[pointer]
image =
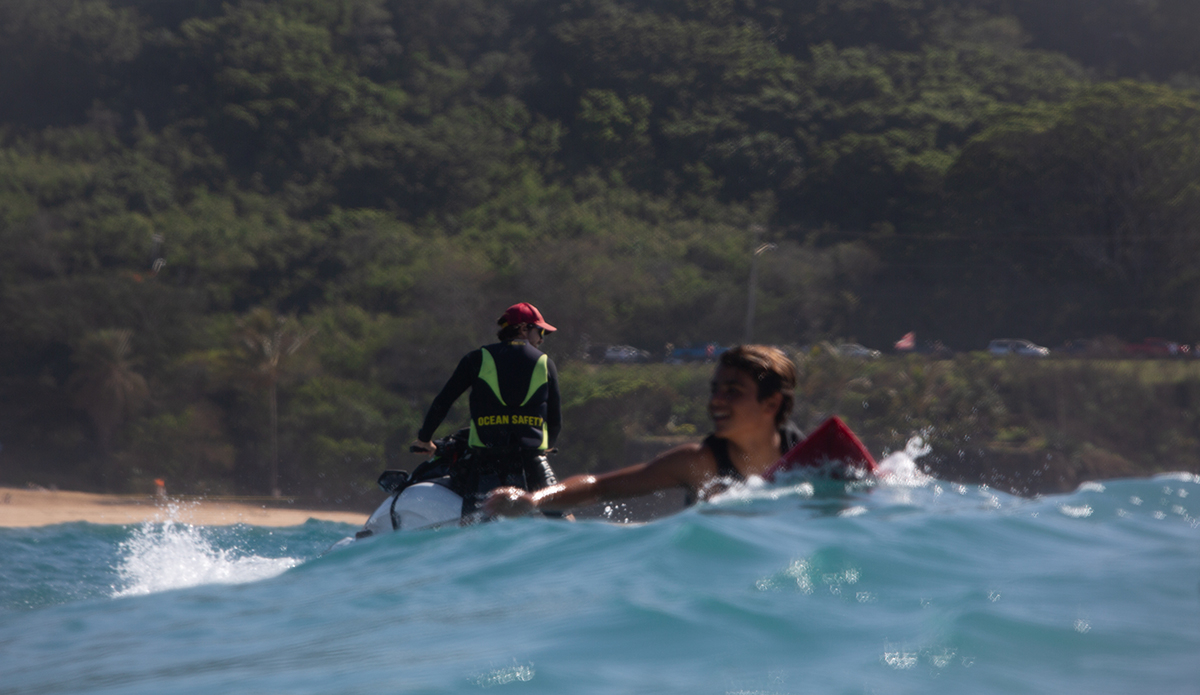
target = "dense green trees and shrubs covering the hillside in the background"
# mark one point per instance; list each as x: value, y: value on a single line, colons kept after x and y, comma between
x: 243, y: 243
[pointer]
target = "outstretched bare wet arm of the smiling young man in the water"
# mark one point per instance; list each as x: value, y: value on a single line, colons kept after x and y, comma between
x: 689, y: 466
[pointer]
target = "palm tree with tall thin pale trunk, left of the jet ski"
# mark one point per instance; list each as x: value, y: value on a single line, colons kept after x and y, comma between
x: 267, y: 340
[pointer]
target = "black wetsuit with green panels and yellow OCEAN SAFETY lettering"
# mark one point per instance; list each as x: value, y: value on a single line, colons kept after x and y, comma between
x: 515, y: 417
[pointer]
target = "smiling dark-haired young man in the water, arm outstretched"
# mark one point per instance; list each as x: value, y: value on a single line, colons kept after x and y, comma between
x: 752, y: 399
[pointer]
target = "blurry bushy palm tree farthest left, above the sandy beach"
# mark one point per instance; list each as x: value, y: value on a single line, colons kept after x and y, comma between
x: 105, y: 385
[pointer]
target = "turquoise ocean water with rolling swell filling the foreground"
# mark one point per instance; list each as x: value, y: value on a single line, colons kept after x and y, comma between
x: 910, y: 586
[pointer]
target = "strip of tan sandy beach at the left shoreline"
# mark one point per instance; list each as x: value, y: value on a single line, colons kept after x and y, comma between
x: 25, y: 508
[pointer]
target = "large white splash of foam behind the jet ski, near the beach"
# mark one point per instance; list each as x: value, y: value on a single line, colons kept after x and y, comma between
x: 167, y: 555
